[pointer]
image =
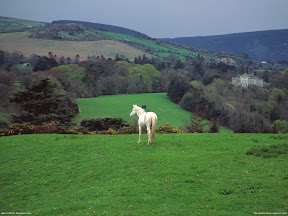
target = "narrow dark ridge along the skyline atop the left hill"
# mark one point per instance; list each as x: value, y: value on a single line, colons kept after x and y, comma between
x: 103, y: 27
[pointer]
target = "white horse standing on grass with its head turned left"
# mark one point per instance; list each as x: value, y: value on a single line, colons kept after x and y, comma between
x: 149, y: 119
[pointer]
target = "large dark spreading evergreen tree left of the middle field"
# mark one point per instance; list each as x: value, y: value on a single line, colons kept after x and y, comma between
x: 39, y: 103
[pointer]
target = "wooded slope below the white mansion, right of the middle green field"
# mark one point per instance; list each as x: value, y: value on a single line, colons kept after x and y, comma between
x: 245, y: 110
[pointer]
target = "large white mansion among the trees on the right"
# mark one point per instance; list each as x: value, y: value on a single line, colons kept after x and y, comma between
x: 249, y: 79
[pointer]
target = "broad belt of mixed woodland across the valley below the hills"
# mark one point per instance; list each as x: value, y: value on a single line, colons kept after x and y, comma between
x: 201, y: 88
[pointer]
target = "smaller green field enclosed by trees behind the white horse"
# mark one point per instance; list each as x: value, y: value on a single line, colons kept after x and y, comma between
x: 120, y: 106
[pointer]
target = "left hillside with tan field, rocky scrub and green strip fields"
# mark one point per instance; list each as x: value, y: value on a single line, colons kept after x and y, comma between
x: 73, y: 39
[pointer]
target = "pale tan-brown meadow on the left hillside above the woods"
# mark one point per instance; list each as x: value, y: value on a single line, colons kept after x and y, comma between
x: 21, y: 42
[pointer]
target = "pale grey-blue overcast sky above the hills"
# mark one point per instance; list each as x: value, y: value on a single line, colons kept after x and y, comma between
x: 159, y: 18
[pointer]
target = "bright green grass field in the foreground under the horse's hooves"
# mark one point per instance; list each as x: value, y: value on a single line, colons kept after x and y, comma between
x: 179, y: 174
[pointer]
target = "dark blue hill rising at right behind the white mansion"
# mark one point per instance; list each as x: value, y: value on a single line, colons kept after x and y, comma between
x: 260, y: 45
